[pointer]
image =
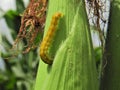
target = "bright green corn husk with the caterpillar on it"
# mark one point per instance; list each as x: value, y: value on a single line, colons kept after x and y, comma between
x: 74, y: 66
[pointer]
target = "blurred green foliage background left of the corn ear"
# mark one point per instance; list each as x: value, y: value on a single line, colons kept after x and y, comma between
x: 17, y: 70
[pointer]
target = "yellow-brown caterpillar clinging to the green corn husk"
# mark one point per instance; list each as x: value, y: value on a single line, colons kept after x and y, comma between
x: 47, y: 40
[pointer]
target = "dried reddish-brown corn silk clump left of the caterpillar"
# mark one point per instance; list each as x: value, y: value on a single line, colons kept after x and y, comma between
x: 32, y: 23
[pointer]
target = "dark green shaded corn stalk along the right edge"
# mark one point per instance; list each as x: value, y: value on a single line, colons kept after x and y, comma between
x: 110, y: 79
